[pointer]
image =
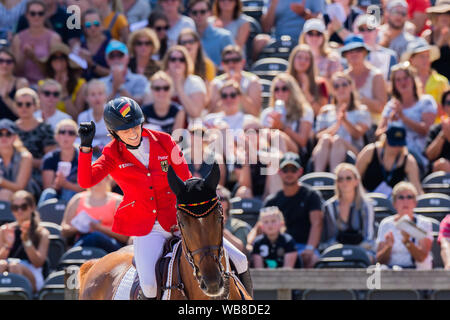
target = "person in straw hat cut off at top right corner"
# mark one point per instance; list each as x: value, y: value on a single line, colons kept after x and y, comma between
x: 439, y: 35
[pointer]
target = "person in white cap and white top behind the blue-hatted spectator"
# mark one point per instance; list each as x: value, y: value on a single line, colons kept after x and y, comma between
x: 380, y: 57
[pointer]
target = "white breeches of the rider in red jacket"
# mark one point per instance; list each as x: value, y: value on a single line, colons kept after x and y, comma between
x: 148, y: 249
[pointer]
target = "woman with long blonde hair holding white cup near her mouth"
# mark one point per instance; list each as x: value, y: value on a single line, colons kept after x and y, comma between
x: 289, y: 111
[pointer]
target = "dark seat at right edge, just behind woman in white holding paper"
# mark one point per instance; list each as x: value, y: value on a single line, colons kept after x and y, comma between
x: 434, y: 205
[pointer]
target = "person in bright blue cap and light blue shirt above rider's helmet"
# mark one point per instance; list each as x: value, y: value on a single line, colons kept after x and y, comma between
x: 121, y: 81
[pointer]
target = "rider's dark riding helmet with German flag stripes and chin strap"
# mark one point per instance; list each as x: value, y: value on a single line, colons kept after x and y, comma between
x: 121, y: 114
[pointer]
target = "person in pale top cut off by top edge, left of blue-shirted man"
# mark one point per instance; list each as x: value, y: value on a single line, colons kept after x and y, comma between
x: 177, y: 21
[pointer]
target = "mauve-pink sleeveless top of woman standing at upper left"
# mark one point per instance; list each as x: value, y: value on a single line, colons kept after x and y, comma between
x: 41, y: 45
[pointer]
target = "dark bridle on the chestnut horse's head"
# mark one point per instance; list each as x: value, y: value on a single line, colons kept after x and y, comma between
x: 207, y: 251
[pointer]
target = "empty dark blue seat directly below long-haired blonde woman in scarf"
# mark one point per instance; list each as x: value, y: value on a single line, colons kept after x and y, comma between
x: 343, y: 256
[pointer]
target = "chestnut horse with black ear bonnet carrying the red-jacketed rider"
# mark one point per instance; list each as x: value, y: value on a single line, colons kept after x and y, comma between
x: 203, y: 267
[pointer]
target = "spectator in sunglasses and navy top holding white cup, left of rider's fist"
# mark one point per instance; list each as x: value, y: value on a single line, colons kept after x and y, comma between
x: 60, y: 166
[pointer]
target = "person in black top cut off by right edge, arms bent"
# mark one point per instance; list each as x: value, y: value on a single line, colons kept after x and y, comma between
x: 438, y: 140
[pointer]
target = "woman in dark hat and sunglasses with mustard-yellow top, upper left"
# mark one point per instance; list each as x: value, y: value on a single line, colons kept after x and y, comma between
x: 67, y: 72
